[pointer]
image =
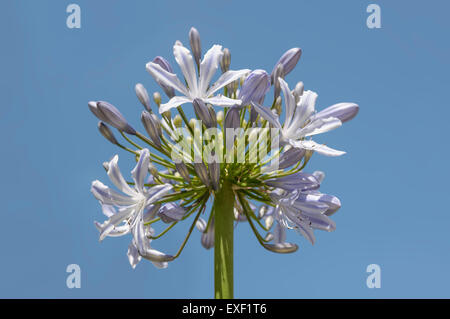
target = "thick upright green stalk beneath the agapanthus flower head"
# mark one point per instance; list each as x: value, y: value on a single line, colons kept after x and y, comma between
x: 223, y: 242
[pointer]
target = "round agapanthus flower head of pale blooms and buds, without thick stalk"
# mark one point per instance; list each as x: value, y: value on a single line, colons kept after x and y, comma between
x: 235, y: 139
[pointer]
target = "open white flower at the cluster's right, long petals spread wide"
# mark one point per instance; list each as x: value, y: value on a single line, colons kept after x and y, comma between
x: 300, y: 121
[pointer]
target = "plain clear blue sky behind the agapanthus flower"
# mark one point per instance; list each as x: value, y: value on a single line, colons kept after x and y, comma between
x: 393, y: 183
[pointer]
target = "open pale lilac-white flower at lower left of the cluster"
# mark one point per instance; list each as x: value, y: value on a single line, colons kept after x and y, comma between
x: 126, y: 211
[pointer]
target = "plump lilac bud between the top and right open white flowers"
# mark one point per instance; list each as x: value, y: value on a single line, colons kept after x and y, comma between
x: 255, y: 87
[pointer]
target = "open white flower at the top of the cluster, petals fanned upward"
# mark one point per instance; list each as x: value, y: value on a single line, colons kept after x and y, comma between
x: 197, y: 87
